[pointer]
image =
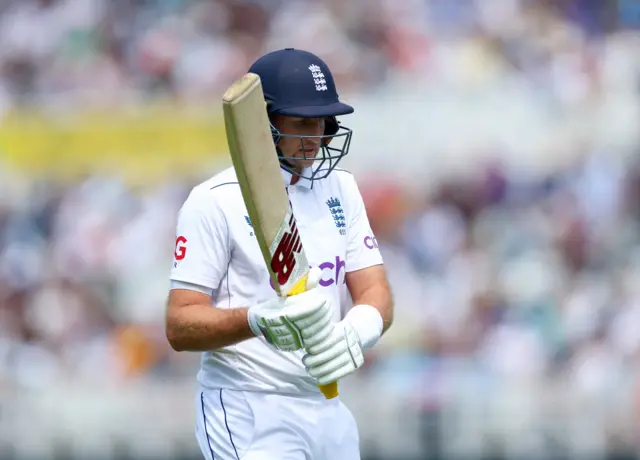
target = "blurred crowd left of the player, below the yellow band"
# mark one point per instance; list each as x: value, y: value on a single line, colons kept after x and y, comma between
x: 83, y: 278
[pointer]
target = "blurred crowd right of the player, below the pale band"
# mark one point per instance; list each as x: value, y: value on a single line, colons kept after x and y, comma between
x: 529, y: 278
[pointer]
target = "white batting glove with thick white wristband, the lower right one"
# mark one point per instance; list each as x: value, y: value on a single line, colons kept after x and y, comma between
x: 341, y: 353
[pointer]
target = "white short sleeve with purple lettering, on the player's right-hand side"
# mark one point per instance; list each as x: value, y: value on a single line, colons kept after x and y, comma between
x: 362, y: 246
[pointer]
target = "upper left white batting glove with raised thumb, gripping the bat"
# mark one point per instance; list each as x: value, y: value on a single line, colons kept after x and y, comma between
x: 296, y: 322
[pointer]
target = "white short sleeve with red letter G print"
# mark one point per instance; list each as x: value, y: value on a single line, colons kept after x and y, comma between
x: 202, y: 243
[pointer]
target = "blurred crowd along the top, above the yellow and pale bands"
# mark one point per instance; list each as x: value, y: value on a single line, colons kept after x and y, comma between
x: 59, y: 53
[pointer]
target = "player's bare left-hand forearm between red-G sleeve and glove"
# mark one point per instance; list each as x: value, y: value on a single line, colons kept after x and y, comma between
x: 203, y: 328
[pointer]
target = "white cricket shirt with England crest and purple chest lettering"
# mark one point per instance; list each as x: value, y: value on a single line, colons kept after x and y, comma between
x: 216, y: 249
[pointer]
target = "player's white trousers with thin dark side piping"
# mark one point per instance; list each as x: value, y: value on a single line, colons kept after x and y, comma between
x: 240, y: 425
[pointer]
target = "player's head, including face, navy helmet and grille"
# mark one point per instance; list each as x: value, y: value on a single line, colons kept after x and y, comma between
x: 302, y: 103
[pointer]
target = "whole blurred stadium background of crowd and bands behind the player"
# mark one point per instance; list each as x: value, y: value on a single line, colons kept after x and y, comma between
x: 497, y: 143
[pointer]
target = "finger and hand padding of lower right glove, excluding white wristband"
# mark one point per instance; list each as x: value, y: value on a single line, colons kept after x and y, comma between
x: 337, y: 356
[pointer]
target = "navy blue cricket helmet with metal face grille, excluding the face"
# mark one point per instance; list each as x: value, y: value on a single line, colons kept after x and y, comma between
x: 297, y: 83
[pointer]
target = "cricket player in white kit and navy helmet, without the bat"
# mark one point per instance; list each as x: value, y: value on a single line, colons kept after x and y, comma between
x: 258, y: 399
